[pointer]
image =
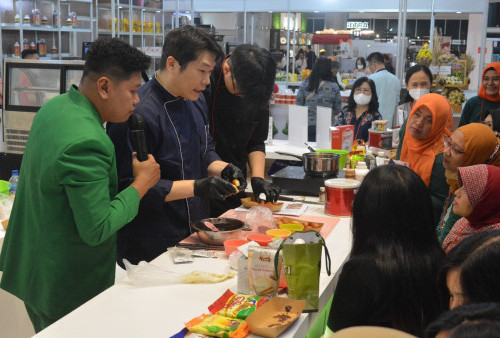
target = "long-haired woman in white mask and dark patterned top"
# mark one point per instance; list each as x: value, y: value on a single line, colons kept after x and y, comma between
x: 361, y: 109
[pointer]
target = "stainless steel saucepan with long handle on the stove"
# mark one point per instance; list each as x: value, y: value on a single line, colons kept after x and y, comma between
x: 318, y: 164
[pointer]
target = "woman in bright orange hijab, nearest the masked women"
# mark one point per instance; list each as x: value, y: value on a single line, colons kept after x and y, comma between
x: 424, y: 142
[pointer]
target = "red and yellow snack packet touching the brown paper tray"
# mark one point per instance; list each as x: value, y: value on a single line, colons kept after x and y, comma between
x: 236, y: 305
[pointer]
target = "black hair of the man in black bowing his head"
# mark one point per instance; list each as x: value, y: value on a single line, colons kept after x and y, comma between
x: 254, y: 71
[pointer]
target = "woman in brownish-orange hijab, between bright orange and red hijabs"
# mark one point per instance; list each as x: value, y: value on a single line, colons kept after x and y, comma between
x: 469, y: 145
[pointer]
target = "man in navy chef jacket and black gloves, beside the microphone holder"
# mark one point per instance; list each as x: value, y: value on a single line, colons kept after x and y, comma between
x: 177, y: 135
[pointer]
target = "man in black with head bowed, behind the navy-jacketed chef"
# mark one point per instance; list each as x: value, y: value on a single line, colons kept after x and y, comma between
x: 240, y: 89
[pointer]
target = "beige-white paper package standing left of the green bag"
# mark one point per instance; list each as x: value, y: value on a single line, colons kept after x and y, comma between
x: 261, y: 273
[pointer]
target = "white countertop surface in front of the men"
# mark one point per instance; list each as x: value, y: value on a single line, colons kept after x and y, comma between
x: 125, y: 310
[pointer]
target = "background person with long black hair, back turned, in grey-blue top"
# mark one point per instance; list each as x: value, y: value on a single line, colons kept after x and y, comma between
x: 319, y: 90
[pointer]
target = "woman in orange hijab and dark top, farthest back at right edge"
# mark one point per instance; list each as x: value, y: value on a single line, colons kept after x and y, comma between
x: 488, y: 96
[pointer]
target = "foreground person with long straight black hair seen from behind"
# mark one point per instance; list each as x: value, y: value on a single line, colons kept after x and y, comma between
x: 391, y: 277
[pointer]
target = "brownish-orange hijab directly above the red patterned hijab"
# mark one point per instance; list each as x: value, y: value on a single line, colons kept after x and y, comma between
x: 480, y: 147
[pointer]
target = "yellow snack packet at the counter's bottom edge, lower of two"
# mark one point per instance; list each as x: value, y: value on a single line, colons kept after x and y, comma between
x: 218, y: 326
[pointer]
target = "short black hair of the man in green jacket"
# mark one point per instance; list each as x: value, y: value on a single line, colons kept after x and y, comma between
x: 115, y: 59
